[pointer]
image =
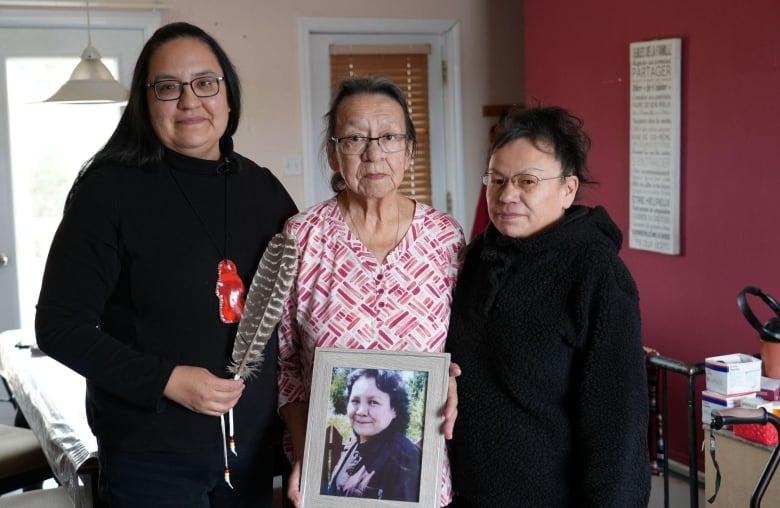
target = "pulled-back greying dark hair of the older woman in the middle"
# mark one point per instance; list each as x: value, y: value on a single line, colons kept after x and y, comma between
x: 371, y: 85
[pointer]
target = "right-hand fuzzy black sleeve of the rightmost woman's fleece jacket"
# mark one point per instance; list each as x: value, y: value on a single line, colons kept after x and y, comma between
x: 613, y: 405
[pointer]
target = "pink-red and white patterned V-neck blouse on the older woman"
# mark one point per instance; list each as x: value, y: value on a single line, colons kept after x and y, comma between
x: 343, y: 297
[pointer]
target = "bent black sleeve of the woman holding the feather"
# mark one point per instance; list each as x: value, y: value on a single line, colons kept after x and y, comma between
x: 82, y: 271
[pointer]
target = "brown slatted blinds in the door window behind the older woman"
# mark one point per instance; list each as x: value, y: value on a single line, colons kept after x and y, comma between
x: 407, y: 67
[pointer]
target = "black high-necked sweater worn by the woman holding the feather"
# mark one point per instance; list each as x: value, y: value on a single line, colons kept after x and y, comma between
x: 129, y: 292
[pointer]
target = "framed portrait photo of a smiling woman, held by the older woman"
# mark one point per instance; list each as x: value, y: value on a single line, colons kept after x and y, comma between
x: 373, y: 435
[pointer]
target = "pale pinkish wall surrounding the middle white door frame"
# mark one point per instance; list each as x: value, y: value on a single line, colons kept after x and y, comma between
x: 261, y: 39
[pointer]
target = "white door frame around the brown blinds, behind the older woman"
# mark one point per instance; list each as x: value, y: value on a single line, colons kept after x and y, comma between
x: 449, y: 31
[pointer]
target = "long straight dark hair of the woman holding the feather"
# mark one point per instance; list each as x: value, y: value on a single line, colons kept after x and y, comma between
x: 134, y: 142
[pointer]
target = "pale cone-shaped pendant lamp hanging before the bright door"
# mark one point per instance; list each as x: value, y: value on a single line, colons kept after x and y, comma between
x: 90, y: 82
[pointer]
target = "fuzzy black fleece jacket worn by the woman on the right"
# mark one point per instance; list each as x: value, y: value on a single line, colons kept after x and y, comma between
x: 553, y: 402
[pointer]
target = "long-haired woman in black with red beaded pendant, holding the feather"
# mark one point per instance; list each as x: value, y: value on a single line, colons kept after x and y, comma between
x: 144, y: 284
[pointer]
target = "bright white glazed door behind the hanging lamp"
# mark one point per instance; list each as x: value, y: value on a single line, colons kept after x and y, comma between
x: 42, y: 146
